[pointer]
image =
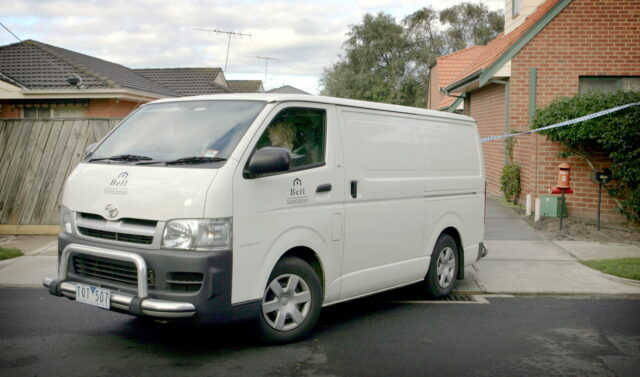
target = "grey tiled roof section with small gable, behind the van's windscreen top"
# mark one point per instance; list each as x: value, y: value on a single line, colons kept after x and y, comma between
x: 186, y: 81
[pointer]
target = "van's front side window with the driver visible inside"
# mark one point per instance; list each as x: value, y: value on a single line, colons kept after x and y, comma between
x: 301, y: 132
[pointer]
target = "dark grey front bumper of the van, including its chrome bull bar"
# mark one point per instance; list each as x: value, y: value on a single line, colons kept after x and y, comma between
x: 150, y: 291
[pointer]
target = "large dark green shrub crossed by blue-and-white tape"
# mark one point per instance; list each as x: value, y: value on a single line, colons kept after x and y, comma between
x: 616, y: 134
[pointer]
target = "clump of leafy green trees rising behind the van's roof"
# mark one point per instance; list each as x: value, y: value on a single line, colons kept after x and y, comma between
x: 386, y: 61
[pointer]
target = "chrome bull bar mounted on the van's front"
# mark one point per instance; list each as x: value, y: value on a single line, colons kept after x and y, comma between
x: 138, y: 305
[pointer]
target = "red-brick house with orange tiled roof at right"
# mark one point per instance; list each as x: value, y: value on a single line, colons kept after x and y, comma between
x: 549, y: 49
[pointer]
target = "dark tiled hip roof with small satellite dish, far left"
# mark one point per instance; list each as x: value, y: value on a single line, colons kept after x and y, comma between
x: 36, y: 65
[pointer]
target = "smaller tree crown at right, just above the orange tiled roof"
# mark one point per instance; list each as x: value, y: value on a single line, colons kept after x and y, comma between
x: 469, y: 24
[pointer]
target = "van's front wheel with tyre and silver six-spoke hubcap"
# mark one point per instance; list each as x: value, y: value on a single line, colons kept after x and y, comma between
x: 291, y: 302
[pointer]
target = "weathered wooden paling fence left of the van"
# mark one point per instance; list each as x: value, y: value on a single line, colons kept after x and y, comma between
x: 36, y: 156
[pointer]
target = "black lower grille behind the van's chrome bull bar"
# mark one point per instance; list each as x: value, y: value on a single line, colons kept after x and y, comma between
x: 109, y: 270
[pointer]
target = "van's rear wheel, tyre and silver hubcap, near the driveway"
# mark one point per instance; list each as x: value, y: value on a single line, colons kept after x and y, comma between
x: 443, y: 268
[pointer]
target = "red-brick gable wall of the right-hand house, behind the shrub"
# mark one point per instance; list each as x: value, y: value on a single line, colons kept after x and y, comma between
x: 588, y: 38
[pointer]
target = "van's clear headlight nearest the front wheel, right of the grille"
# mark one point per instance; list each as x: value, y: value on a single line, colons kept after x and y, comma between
x: 197, y: 234
